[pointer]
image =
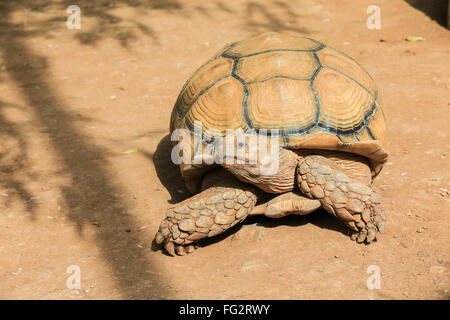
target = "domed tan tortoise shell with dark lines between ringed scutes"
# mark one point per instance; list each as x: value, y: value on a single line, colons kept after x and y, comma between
x: 317, y: 96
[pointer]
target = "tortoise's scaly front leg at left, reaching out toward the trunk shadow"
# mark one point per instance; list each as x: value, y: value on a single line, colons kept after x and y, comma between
x: 224, y: 202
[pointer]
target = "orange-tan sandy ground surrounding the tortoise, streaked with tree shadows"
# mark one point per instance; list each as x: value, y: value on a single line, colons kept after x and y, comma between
x: 73, y: 100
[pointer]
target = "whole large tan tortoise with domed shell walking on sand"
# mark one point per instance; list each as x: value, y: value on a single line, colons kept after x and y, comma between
x: 329, y: 127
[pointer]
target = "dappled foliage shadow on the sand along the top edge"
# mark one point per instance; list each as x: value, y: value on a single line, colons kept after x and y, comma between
x: 103, y: 19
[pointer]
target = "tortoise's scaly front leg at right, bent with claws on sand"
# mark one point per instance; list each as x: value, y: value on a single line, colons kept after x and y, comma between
x: 344, y: 193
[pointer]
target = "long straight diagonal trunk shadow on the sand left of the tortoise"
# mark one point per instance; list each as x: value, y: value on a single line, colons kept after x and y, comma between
x: 92, y: 195
